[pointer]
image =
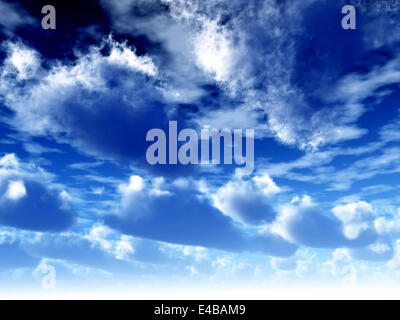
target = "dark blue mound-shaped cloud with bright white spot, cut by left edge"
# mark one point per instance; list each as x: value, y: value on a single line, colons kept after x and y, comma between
x: 26, y: 202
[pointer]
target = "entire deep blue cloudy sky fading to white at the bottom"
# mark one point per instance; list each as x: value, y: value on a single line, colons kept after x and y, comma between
x: 78, y: 197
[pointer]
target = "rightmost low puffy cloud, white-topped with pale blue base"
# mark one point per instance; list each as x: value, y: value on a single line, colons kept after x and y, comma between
x: 305, y: 223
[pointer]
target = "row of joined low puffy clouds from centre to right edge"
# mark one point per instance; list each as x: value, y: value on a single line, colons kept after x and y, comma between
x: 201, y: 216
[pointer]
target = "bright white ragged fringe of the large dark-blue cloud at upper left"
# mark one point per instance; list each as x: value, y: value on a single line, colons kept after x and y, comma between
x: 60, y: 83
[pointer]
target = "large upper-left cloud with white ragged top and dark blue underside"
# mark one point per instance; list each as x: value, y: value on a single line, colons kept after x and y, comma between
x: 80, y: 103
